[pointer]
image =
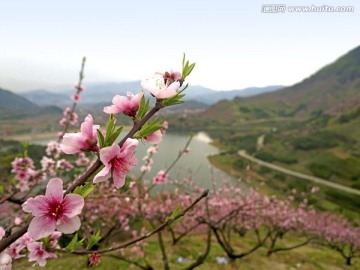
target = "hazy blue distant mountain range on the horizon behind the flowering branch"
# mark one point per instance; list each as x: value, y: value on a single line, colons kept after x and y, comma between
x: 104, y: 92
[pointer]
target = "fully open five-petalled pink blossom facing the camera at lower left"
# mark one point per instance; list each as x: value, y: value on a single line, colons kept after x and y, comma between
x: 53, y: 211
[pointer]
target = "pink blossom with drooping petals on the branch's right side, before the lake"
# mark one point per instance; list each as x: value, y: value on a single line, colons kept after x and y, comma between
x: 118, y: 162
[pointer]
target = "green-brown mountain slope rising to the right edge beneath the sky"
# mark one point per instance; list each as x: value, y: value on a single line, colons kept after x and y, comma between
x: 333, y: 90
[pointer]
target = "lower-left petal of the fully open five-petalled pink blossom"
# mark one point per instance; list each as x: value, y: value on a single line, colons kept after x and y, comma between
x: 41, y: 226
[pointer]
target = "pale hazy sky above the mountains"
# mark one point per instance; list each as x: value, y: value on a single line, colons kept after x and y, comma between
x: 234, y: 44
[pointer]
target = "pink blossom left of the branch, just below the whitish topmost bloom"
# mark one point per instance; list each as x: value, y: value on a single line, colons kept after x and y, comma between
x: 128, y: 105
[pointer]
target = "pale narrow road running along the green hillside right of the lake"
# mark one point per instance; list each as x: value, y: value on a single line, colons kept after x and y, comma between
x: 321, y: 181
